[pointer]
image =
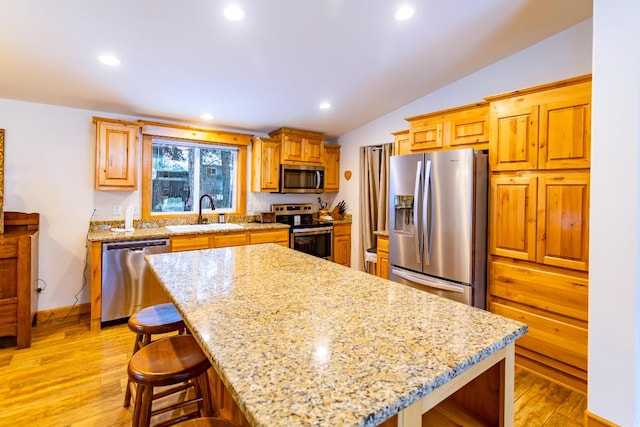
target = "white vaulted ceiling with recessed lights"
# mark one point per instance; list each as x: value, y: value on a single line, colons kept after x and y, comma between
x: 182, y: 58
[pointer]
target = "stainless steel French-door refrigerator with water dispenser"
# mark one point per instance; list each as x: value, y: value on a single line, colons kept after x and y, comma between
x: 438, y: 223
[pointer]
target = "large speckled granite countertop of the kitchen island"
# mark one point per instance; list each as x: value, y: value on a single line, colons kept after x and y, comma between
x: 303, y: 341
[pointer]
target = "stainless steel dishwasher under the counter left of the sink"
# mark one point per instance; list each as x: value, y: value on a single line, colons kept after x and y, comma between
x: 127, y: 283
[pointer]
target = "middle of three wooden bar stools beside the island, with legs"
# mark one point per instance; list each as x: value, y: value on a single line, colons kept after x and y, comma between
x: 175, y: 361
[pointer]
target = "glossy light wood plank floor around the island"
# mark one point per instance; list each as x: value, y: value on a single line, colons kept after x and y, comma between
x: 74, y: 377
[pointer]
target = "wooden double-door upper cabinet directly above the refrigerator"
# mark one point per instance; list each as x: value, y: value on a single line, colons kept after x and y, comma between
x: 465, y: 126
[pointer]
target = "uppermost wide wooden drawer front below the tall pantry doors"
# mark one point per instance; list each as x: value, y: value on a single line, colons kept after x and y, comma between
x: 552, y: 290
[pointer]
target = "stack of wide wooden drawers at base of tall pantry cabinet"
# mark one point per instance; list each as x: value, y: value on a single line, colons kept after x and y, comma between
x: 554, y: 303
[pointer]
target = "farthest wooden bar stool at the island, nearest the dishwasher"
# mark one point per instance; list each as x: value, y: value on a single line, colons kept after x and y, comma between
x: 153, y: 320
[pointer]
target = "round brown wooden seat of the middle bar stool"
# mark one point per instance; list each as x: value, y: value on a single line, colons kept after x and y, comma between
x: 168, y: 361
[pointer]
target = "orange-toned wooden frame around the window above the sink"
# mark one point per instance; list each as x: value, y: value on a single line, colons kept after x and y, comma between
x: 239, y: 141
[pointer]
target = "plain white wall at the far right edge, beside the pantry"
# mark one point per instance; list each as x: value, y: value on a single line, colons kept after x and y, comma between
x: 614, y: 294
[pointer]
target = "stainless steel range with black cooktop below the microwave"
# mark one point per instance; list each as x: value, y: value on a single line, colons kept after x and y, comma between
x: 306, y: 233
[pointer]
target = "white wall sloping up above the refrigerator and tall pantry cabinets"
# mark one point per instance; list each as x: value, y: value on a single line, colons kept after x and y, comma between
x: 567, y: 54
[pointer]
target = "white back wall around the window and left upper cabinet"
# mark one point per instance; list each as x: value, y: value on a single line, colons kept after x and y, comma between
x: 49, y: 168
